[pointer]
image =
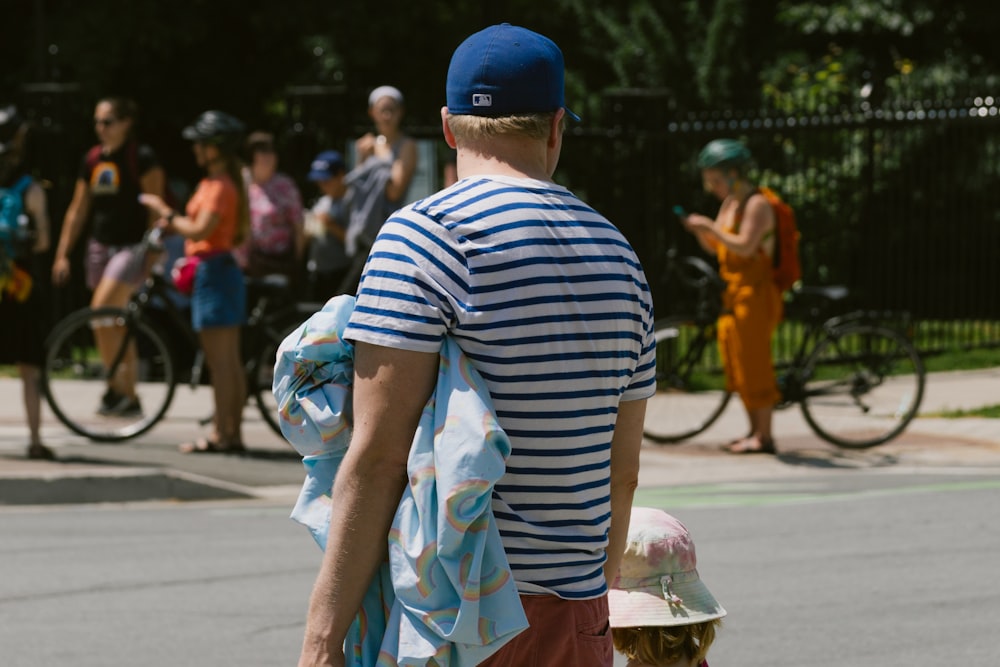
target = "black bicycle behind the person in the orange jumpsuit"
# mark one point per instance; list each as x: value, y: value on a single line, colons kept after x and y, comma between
x: 857, y: 379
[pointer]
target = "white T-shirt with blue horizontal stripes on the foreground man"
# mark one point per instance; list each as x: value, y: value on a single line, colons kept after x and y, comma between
x: 549, y: 302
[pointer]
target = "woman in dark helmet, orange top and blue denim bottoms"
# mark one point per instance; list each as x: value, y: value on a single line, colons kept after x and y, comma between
x: 215, y: 221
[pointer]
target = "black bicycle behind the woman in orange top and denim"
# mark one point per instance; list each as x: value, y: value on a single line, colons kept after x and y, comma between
x: 158, y: 335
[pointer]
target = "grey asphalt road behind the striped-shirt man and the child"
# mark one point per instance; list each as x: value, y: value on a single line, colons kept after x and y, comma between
x: 891, y: 566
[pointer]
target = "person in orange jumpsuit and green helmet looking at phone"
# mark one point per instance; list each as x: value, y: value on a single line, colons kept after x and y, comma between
x: 742, y: 237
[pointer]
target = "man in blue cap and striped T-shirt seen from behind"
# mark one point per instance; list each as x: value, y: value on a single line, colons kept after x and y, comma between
x: 550, y: 303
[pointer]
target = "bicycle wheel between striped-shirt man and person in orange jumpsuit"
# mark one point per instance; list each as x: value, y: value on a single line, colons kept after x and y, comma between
x: 690, y: 384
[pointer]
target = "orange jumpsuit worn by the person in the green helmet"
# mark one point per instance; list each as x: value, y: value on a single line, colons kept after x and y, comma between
x: 752, y: 309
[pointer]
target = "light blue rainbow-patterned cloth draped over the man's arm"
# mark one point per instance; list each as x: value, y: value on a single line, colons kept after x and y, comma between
x: 446, y: 594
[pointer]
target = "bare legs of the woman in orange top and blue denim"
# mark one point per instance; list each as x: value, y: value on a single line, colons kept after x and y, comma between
x: 222, y: 355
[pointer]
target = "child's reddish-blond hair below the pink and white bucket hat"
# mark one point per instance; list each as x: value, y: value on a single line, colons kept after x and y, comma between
x: 666, y: 644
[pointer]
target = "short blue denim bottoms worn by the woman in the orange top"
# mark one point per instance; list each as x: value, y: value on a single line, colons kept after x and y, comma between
x: 220, y: 295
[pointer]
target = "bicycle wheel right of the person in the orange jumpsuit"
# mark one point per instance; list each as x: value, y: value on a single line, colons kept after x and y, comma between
x: 862, y: 384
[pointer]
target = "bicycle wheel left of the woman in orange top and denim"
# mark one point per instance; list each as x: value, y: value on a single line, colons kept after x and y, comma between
x: 75, y: 378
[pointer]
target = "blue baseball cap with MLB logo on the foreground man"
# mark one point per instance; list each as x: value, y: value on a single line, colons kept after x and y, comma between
x: 506, y: 70
